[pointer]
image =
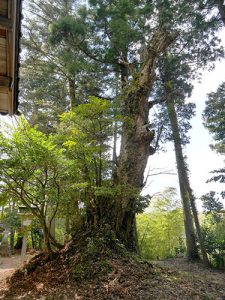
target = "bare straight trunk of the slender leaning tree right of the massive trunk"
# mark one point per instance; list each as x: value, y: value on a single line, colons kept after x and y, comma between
x: 192, y: 252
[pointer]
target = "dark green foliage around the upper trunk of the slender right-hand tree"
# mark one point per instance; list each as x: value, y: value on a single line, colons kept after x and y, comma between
x: 175, y: 83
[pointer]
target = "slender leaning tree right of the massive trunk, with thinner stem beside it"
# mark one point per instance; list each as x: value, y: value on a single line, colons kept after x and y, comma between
x: 175, y: 77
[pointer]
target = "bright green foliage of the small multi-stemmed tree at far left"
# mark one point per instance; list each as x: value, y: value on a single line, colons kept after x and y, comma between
x: 32, y: 168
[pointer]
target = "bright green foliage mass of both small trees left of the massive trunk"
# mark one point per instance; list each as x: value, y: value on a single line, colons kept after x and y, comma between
x: 61, y: 174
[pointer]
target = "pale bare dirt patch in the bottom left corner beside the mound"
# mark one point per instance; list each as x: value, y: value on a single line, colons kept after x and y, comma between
x: 7, y: 267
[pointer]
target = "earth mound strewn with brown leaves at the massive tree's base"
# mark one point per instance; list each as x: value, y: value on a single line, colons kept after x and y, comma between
x: 114, y: 278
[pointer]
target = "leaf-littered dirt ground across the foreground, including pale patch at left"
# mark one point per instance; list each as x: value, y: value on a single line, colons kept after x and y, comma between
x: 174, y: 279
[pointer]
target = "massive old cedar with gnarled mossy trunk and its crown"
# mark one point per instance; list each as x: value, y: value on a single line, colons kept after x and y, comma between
x: 127, y: 38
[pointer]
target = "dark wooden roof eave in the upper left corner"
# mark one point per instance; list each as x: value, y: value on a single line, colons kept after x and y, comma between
x: 10, y: 26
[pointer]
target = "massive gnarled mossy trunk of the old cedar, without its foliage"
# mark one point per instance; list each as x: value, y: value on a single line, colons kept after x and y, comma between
x: 136, y: 138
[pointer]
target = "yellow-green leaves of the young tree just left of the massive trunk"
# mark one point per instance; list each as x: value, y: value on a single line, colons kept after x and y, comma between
x: 85, y: 133
